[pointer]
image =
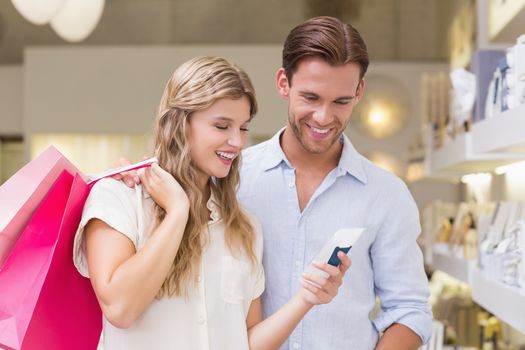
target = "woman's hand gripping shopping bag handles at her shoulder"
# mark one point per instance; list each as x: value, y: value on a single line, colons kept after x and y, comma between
x: 164, y: 189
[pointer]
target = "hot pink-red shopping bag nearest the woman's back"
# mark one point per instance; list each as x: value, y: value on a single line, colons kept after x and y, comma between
x: 44, y: 302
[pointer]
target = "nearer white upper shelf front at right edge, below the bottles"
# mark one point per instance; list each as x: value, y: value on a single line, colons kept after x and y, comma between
x: 501, y: 133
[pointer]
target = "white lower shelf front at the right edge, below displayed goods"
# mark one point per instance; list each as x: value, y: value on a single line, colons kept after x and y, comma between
x: 505, y: 302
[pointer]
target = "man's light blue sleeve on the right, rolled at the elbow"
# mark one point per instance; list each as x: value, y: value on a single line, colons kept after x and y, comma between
x: 400, y: 280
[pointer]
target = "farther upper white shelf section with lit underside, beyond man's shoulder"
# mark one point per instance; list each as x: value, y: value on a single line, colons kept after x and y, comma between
x: 458, y: 156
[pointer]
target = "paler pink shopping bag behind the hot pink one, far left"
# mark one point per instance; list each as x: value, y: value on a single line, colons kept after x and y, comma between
x: 23, y: 192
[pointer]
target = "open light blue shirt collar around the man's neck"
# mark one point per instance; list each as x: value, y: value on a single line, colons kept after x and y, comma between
x: 350, y: 162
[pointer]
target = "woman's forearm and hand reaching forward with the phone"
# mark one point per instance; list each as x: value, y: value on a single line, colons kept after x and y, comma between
x: 273, y: 331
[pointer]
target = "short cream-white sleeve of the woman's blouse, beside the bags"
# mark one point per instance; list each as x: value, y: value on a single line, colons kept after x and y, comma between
x: 109, y: 201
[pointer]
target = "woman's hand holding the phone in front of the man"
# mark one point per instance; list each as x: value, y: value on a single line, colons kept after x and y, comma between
x: 321, y: 290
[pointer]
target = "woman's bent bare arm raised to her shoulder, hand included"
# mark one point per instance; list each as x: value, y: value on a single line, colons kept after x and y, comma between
x: 125, y: 281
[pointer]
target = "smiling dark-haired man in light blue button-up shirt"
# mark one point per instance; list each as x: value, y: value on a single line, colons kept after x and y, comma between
x: 308, y: 181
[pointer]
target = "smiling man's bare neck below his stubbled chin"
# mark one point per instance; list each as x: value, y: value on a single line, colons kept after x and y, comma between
x: 303, y: 159
